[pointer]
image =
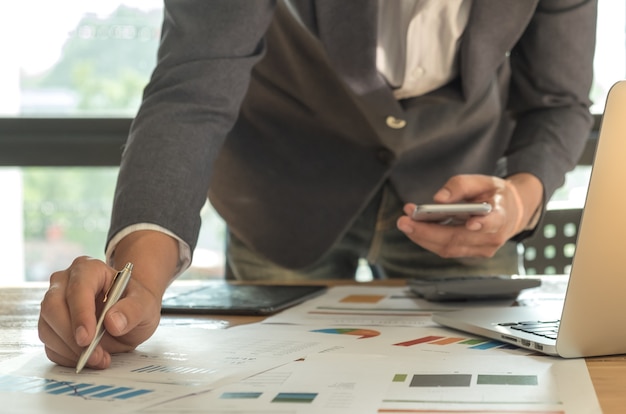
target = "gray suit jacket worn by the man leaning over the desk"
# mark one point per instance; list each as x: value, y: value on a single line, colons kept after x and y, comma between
x: 281, y: 114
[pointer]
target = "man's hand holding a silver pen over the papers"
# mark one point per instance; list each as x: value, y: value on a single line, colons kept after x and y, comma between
x: 71, y: 306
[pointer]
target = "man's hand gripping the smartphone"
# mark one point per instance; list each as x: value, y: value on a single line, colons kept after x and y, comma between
x: 515, y: 201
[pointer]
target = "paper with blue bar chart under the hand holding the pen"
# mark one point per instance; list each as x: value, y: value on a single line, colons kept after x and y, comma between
x: 177, y: 361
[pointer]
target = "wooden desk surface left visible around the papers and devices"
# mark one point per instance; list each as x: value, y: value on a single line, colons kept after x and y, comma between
x: 19, y: 312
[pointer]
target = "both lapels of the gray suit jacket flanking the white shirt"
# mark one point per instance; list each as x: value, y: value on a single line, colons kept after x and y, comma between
x: 348, y: 26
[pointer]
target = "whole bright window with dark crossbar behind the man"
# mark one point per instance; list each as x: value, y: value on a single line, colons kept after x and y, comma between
x: 71, y: 79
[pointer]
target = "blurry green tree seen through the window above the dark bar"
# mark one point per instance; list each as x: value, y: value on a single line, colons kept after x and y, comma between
x: 106, y: 62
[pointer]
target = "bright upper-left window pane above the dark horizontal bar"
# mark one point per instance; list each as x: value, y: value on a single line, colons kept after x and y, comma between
x: 77, y: 58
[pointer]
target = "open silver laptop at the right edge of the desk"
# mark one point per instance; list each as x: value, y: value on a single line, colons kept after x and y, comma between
x: 592, y: 319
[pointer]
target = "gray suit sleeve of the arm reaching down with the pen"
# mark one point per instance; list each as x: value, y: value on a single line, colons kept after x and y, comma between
x: 207, y: 51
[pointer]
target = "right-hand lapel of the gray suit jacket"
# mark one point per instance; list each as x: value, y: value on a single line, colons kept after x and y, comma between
x: 498, y: 24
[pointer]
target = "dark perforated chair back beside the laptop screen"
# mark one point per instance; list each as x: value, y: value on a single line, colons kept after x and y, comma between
x: 551, y: 249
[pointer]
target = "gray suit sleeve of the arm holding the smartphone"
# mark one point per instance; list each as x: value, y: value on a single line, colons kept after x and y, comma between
x: 552, y: 72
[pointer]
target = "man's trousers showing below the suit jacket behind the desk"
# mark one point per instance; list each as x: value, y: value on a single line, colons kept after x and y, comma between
x: 372, y: 238
